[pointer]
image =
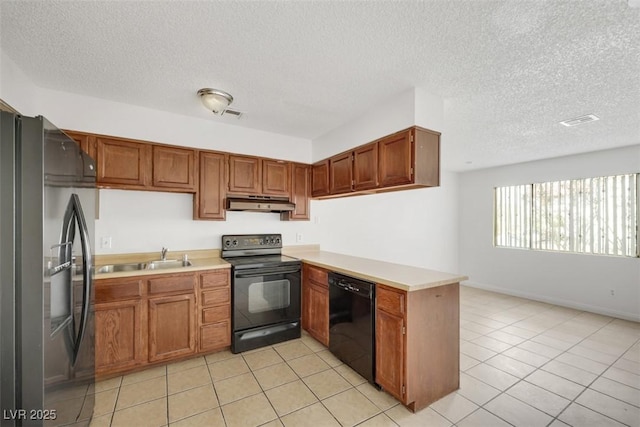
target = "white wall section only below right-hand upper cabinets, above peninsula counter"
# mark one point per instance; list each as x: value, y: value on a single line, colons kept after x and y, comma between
x: 415, y: 227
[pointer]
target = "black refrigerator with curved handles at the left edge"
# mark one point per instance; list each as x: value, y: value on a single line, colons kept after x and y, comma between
x: 47, y: 214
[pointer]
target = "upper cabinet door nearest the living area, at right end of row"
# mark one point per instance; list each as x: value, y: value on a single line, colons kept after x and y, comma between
x: 396, y: 161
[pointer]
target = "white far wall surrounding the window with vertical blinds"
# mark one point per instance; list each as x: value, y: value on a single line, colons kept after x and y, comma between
x: 579, y: 281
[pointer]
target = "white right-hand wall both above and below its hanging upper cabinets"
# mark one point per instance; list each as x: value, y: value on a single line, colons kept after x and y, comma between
x: 415, y: 227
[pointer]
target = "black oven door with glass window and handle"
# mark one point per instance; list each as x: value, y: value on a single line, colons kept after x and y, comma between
x: 265, y: 296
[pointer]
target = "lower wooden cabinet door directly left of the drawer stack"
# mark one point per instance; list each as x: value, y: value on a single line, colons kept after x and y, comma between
x: 172, y: 326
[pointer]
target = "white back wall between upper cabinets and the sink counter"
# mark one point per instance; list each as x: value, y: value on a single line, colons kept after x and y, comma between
x: 141, y: 221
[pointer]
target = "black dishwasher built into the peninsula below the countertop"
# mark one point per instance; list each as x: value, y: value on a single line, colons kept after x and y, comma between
x: 352, y: 323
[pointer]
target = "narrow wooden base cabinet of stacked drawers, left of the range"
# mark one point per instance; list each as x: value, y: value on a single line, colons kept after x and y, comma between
x: 214, y: 319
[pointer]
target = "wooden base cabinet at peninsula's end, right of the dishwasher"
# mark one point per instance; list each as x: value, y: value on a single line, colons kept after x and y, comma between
x: 417, y: 343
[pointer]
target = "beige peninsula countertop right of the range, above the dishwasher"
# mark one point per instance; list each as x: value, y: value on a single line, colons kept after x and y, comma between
x: 399, y: 276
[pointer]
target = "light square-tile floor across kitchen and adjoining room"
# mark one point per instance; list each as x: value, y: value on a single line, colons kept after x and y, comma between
x: 522, y: 362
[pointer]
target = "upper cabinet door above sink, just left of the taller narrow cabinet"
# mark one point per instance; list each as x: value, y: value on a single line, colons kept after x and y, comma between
x: 174, y: 168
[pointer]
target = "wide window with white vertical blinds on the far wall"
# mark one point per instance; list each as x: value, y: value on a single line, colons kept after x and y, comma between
x: 592, y: 215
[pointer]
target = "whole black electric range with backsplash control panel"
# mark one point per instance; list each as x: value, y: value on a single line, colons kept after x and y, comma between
x: 265, y: 291
